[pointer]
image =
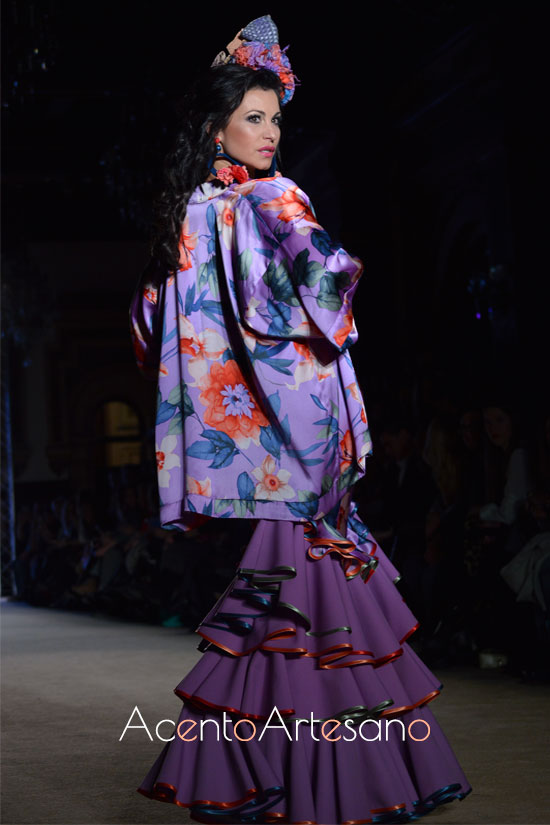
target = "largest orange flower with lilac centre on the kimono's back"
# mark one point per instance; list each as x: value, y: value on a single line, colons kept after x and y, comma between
x: 230, y: 406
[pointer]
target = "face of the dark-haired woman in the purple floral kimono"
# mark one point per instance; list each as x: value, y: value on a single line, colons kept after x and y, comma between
x: 254, y: 130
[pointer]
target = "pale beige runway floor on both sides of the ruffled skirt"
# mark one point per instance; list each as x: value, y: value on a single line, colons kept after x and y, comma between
x: 71, y: 682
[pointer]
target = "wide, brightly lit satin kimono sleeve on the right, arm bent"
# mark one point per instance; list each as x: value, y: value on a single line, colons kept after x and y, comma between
x: 293, y: 282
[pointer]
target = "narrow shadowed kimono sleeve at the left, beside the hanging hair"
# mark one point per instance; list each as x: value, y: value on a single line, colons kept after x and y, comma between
x: 145, y: 321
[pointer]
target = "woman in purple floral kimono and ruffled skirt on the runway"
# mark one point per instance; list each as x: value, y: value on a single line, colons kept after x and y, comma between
x: 244, y: 319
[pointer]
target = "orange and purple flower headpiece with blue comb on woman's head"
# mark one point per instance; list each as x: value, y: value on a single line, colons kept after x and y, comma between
x: 257, y: 46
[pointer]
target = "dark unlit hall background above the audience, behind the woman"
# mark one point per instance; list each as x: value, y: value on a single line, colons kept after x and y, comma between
x: 419, y: 132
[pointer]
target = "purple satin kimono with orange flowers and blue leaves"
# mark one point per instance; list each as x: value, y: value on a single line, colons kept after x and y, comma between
x: 259, y: 414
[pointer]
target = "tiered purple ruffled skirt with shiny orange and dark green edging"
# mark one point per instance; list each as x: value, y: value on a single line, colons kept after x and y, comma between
x: 311, y: 629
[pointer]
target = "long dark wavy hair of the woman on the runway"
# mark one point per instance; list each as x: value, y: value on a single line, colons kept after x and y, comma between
x: 206, y: 108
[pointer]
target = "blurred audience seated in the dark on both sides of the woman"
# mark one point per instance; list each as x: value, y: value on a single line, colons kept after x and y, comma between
x: 454, y: 494
